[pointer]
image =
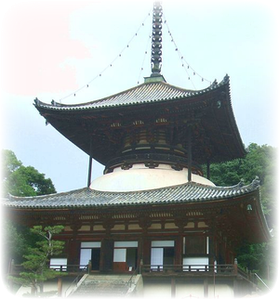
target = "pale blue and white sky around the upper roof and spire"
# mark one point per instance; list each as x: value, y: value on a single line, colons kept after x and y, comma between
x: 80, y: 51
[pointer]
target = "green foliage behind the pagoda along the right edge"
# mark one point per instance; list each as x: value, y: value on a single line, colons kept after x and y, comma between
x: 261, y: 161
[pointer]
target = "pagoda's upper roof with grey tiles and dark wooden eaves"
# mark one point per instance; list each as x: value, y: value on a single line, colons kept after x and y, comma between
x: 99, y: 127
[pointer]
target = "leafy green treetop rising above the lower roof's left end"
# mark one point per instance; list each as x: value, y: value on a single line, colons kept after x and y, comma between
x: 19, y: 180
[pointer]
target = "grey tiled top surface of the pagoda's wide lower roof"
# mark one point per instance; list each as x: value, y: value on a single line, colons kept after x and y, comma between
x: 88, y: 198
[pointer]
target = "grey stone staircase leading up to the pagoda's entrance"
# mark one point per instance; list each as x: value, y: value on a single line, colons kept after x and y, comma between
x: 102, y: 286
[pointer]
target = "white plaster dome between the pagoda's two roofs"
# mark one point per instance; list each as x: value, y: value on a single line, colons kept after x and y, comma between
x: 139, y: 178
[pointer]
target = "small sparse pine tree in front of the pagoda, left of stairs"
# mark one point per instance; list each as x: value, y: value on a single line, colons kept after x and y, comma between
x: 36, y: 264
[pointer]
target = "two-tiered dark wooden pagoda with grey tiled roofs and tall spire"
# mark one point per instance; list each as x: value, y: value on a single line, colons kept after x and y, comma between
x: 153, y: 214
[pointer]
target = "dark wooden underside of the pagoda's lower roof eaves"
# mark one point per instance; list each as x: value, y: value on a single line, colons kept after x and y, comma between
x: 231, y: 217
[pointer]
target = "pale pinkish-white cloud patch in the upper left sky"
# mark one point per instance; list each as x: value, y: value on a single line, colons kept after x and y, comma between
x: 35, y: 44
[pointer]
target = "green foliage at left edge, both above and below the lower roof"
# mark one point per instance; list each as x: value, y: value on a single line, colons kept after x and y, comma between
x: 18, y: 180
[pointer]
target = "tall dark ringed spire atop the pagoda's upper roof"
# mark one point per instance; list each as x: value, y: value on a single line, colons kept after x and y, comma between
x: 156, y: 47
